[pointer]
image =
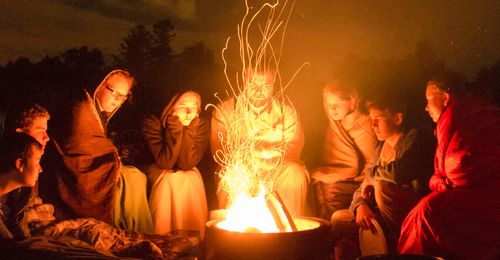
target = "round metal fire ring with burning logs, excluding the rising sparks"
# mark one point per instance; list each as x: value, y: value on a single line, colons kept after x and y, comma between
x: 261, y: 228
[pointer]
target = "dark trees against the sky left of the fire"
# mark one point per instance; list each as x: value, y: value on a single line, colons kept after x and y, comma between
x: 146, y: 53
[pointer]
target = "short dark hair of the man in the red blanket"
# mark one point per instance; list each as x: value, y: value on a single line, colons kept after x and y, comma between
x: 449, y: 82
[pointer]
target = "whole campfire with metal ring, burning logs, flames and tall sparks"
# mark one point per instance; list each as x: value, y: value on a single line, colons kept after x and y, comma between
x: 256, y: 224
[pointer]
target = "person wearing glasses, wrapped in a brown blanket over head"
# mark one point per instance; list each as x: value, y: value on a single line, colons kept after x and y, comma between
x: 85, y: 177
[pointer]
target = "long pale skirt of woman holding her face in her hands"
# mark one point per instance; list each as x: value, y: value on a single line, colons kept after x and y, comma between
x: 178, y: 202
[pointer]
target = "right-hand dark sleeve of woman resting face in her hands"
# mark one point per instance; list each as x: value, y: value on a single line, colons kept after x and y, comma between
x: 194, y: 143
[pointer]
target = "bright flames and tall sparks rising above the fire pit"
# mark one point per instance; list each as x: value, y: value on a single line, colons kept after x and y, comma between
x: 252, y: 152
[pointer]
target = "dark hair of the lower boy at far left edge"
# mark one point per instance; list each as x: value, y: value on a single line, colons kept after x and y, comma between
x: 15, y: 146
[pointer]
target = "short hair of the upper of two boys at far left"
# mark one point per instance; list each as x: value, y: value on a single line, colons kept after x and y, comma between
x: 24, y: 117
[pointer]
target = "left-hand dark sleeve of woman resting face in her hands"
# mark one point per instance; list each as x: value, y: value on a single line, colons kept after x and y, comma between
x: 165, y: 152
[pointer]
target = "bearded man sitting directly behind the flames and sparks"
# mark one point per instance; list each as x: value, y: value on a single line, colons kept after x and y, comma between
x: 257, y: 125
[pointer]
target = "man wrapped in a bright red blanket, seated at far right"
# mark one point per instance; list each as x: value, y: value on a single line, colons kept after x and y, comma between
x: 459, y: 219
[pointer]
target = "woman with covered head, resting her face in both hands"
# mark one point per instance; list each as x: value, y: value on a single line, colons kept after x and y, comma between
x: 177, y: 141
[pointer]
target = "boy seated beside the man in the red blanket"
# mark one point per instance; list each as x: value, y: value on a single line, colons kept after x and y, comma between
x: 397, y: 176
